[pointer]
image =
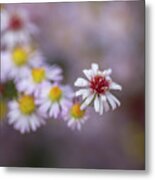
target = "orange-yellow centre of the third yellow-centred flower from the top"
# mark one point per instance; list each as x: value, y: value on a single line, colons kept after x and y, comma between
x: 55, y: 93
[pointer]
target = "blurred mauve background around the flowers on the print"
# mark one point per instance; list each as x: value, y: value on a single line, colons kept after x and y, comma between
x: 74, y: 35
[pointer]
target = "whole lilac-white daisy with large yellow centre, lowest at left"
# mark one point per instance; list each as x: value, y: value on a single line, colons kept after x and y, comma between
x: 23, y: 114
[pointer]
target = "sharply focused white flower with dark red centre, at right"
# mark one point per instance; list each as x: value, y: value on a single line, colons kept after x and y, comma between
x: 96, y: 89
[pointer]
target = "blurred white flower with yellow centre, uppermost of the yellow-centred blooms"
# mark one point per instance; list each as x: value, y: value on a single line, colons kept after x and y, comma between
x: 17, y: 62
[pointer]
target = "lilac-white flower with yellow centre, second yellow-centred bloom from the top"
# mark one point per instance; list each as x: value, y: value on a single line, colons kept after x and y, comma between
x: 37, y: 78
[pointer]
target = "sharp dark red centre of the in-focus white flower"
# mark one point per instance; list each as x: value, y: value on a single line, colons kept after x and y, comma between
x: 99, y: 84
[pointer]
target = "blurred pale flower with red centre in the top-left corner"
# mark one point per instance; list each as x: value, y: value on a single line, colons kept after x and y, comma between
x: 19, y: 28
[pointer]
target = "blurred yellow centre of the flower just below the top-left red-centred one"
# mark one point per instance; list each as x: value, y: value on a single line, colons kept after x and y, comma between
x: 19, y: 56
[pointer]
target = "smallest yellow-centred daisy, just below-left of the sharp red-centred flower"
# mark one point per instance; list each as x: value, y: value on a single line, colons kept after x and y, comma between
x: 76, y: 117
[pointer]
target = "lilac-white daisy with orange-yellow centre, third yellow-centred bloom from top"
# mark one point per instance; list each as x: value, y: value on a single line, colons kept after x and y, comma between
x: 54, y: 100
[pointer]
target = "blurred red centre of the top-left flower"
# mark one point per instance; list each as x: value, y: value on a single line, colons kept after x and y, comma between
x: 15, y: 23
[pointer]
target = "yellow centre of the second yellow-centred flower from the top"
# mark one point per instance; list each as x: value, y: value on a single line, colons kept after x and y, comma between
x: 38, y: 75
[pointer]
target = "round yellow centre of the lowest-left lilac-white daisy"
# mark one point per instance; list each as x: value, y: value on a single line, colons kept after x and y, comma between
x: 27, y: 104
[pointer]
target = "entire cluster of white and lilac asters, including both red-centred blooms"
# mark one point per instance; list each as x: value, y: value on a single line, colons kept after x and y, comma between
x: 39, y: 94
